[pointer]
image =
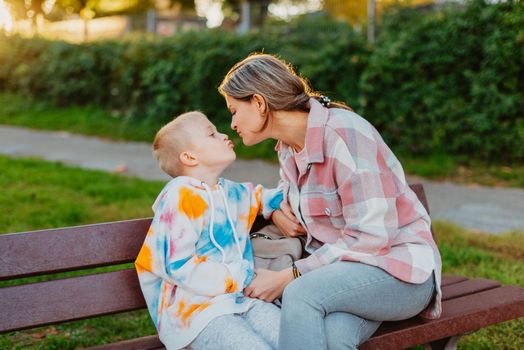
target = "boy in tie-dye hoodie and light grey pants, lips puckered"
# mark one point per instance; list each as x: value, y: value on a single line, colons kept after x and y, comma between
x: 197, y: 257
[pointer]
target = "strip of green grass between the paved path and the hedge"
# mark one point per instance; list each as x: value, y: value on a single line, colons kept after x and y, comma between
x: 17, y: 110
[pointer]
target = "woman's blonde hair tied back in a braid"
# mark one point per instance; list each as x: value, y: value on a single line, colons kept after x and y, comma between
x: 273, y: 79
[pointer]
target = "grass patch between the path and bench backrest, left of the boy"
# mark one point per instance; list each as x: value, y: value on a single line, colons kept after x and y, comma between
x: 37, y: 194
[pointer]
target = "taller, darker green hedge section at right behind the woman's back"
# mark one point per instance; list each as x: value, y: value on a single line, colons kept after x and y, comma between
x: 451, y: 82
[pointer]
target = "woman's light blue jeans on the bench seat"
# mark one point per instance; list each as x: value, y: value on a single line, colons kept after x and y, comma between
x: 341, y: 305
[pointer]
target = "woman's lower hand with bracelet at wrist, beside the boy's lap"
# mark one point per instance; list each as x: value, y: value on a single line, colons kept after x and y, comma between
x: 268, y: 285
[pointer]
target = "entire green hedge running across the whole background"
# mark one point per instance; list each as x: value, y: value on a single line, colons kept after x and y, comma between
x: 445, y: 82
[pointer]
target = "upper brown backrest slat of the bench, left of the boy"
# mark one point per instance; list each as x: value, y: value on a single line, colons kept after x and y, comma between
x: 65, y: 249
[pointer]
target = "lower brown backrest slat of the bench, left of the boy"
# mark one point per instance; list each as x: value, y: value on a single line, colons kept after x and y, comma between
x: 43, y: 303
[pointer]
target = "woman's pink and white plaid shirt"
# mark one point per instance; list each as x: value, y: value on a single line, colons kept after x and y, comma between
x: 355, y: 203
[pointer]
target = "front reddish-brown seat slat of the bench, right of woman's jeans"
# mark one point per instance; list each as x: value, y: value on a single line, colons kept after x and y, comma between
x: 460, y: 315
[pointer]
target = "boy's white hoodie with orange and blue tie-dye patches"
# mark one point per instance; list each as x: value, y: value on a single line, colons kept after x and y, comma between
x: 197, y: 256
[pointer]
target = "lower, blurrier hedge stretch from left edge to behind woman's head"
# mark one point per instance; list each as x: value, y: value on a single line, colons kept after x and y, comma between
x: 157, y: 78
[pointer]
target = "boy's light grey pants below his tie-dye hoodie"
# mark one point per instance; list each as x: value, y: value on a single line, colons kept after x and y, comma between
x: 256, y: 328
